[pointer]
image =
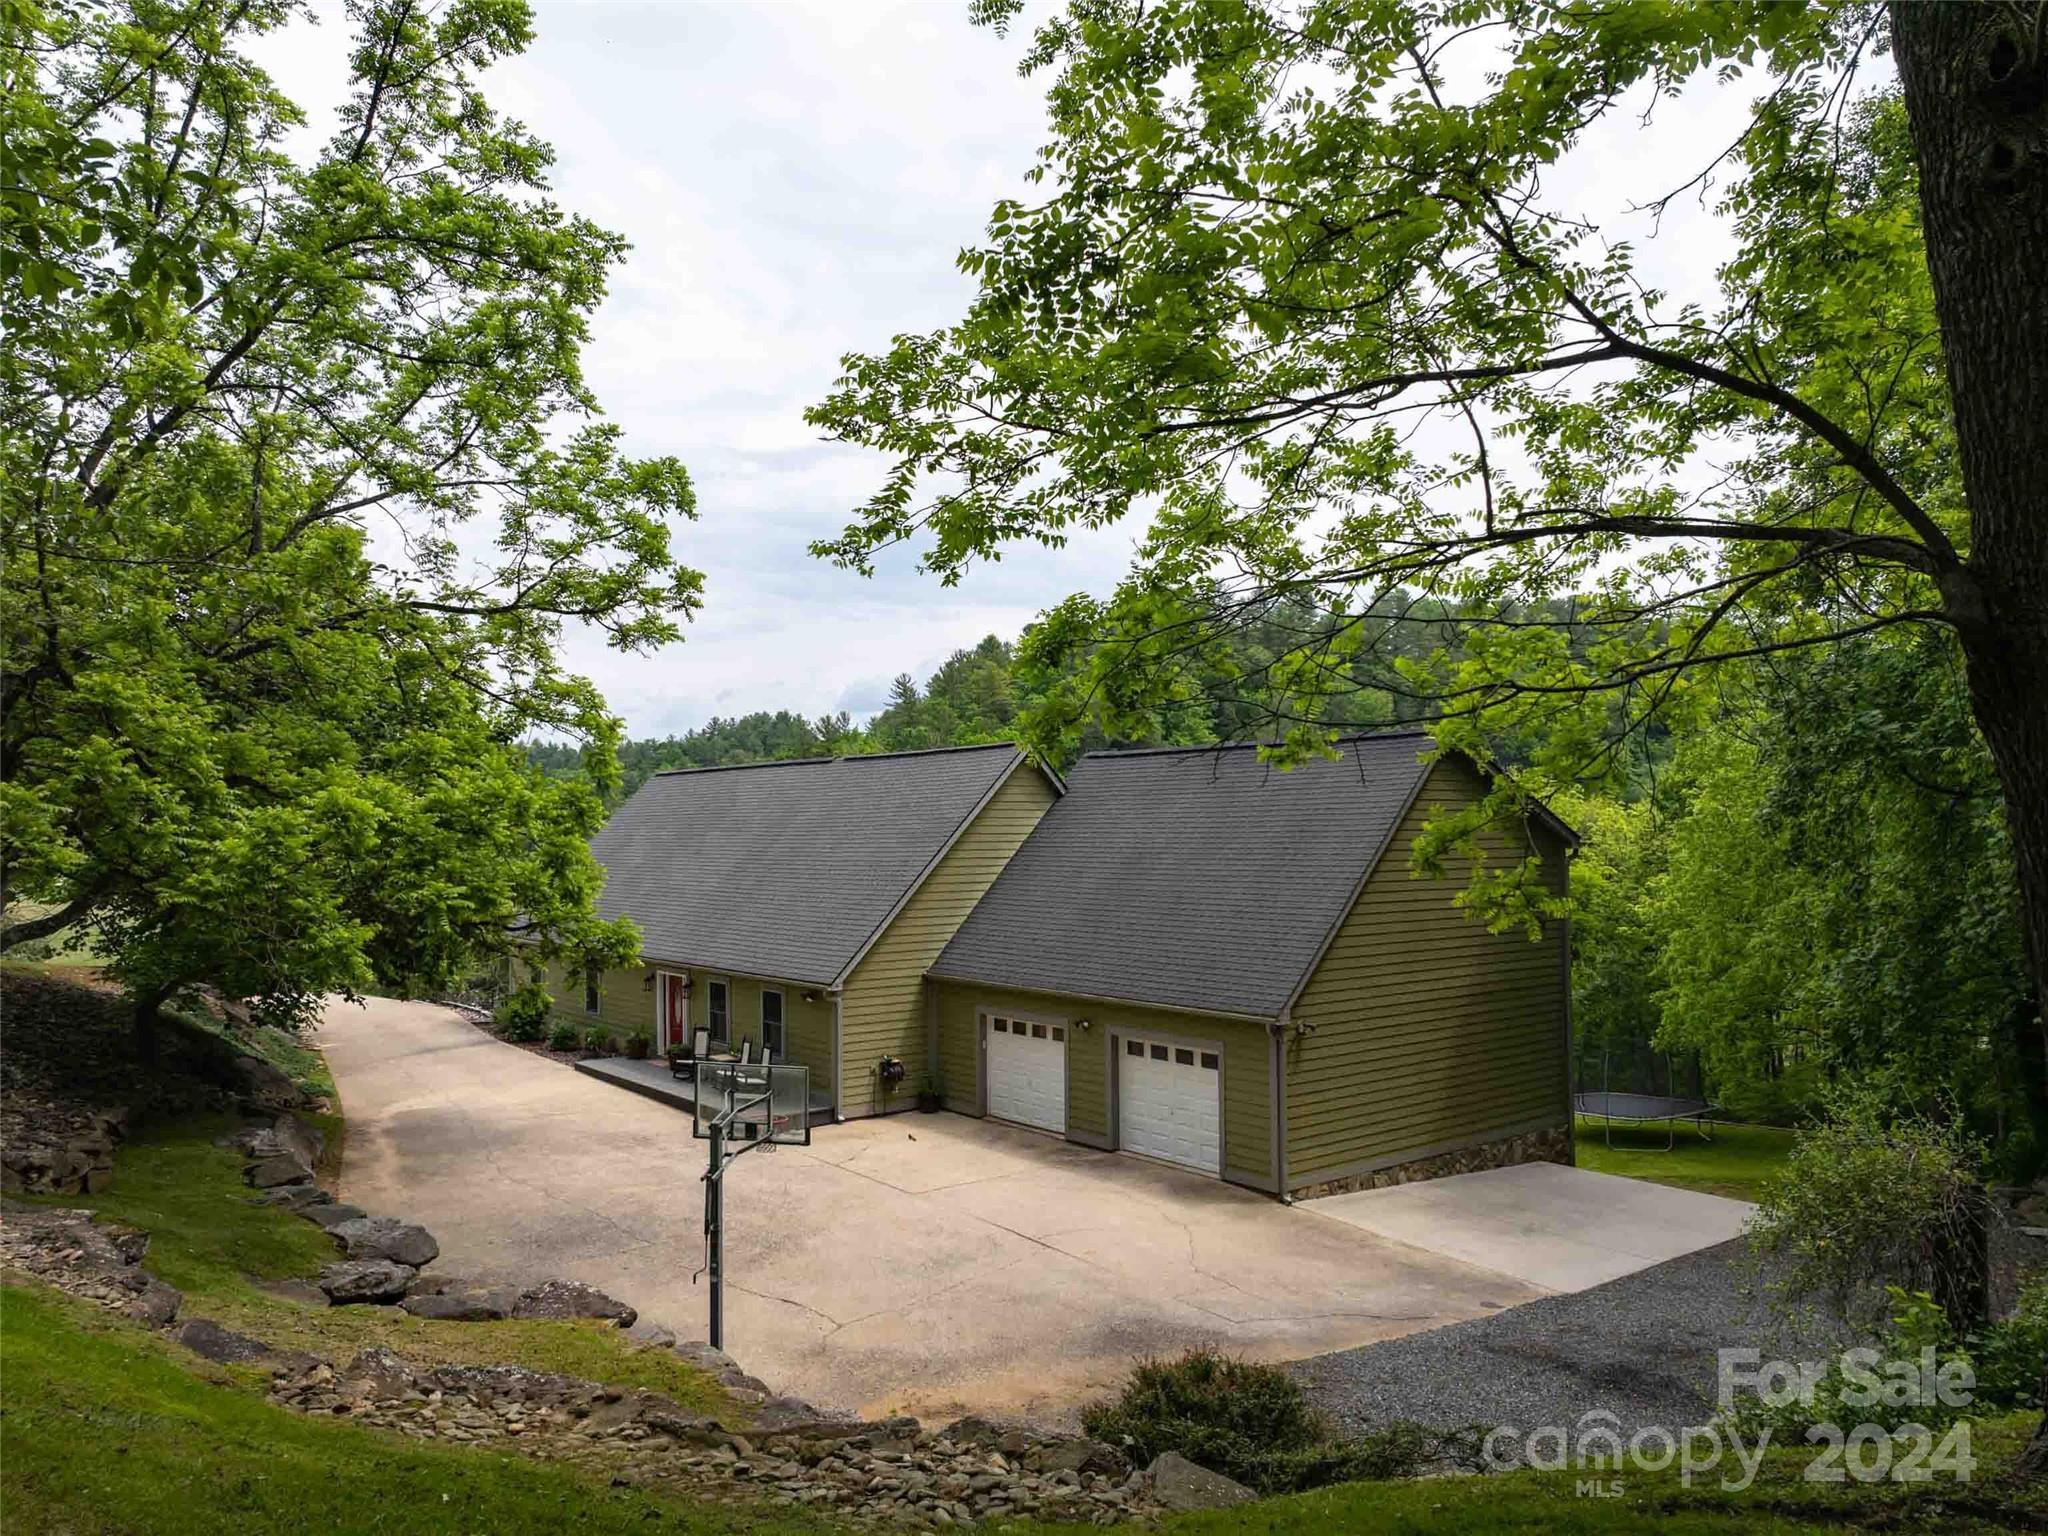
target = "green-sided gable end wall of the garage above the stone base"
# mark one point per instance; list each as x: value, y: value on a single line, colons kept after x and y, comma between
x: 1426, y: 1031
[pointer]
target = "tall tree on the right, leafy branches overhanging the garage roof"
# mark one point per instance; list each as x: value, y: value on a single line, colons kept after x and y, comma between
x: 1277, y: 239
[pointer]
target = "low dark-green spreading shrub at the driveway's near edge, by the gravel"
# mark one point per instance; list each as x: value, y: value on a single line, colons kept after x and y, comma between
x: 1248, y: 1422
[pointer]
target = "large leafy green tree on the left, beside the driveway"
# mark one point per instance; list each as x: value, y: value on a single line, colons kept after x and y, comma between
x: 300, y: 480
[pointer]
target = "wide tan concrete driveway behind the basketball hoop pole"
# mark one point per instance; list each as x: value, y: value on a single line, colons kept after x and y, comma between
x: 925, y: 1263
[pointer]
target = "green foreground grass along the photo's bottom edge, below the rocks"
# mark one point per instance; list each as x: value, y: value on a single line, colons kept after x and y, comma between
x: 110, y: 1428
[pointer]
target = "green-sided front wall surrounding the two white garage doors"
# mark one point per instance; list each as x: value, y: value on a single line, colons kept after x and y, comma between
x: 1244, y: 1046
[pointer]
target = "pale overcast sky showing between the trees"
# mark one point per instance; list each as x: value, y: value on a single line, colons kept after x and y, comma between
x: 798, y: 183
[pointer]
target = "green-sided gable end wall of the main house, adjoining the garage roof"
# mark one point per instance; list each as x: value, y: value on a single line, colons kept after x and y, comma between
x: 884, y: 1007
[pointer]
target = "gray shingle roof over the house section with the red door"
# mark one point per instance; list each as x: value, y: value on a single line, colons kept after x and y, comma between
x: 785, y: 869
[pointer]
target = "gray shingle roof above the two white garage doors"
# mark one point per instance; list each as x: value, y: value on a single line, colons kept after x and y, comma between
x: 1189, y: 878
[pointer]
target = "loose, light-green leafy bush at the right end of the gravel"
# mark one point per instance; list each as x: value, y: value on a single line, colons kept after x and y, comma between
x: 1875, y: 1199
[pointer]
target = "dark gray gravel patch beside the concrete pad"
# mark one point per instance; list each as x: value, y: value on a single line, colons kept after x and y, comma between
x: 1641, y: 1349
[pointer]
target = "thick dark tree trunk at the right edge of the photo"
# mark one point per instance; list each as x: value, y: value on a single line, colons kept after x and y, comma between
x: 1977, y: 97
